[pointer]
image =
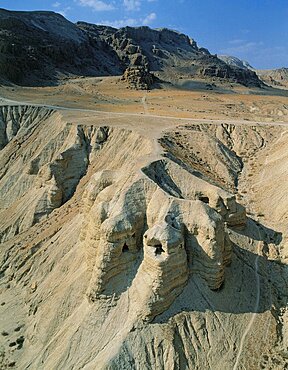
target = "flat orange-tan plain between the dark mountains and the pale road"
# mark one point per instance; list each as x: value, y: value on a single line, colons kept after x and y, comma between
x: 183, y: 99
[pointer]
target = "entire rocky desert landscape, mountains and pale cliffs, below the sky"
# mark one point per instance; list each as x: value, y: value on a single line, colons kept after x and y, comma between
x: 143, y: 224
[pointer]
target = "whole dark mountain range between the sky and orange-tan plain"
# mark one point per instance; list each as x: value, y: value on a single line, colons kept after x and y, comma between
x: 43, y: 47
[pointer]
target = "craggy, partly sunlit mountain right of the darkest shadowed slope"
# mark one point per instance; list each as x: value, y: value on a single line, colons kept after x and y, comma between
x: 169, y: 53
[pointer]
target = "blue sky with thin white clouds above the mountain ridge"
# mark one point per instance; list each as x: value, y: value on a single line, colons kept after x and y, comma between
x: 254, y: 30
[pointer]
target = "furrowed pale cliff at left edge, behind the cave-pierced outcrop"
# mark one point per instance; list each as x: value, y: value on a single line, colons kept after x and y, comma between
x: 50, y: 170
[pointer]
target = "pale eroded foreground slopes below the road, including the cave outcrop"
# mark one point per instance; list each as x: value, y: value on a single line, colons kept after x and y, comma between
x: 146, y: 260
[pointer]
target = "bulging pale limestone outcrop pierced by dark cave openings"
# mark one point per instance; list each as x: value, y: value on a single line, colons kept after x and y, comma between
x: 146, y: 230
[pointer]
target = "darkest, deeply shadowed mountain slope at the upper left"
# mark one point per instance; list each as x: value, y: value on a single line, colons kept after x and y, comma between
x: 41, y: 46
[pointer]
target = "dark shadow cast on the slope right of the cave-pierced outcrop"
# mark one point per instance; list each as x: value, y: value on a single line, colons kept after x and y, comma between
x: 239, y: 293
